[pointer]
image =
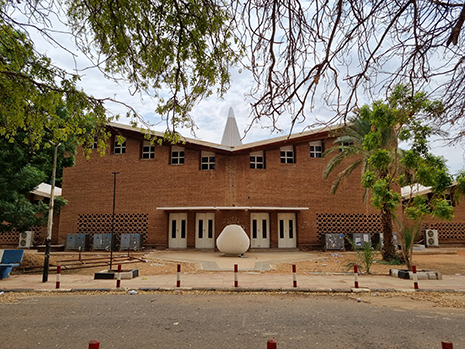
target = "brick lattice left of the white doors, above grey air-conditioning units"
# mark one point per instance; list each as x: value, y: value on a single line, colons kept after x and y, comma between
x: 135, y: 223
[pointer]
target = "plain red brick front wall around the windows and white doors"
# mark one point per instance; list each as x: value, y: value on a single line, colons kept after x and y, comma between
x: 144, y: 185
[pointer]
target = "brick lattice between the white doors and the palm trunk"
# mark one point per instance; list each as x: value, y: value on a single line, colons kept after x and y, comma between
x: 347, y: 224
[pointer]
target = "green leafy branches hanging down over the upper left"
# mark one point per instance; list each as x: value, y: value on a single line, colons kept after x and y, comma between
x: 177, y: 52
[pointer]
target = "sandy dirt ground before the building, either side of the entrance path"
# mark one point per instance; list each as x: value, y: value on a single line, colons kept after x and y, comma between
x: 452, y: 263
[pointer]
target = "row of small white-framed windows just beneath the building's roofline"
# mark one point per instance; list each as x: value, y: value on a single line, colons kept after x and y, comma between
x: 207, y: 160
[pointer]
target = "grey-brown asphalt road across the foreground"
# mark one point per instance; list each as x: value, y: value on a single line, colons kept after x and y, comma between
x: 222, y: 321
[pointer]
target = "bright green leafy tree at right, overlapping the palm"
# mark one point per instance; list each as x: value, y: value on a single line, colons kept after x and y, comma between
x: 404, y: 116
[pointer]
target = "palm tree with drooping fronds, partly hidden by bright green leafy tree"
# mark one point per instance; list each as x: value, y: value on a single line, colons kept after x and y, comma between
x: 349, y: 144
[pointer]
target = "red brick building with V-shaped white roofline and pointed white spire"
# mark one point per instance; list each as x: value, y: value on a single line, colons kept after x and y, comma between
x: 183, y: 195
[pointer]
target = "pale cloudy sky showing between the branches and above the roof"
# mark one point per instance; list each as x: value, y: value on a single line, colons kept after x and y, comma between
x: 210, y: 114
